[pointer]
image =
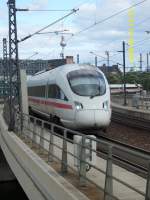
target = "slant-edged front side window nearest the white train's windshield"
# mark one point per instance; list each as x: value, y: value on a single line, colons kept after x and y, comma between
x: 56, y: 93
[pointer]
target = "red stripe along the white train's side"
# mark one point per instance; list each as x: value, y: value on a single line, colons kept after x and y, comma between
x: 51, y: 103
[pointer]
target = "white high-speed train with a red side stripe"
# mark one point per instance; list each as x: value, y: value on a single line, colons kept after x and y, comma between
x: 76, y: 95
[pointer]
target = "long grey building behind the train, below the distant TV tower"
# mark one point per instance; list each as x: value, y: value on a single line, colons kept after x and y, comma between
x: 34, y: 66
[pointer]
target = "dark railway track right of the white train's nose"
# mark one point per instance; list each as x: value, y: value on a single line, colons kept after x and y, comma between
x: 130, y: 121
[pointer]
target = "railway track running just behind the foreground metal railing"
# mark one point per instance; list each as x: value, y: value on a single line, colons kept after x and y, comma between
x: 120, y: 157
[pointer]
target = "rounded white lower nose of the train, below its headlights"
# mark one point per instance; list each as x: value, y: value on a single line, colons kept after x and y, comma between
x: 92, y: 118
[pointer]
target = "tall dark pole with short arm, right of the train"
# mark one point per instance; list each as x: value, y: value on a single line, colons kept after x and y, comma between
x: 124, y: 72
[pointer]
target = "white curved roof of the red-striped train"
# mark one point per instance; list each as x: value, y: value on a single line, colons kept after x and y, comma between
x: 40, y: 78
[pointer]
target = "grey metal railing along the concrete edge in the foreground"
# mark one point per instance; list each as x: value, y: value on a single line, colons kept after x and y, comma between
x: 45, y: 136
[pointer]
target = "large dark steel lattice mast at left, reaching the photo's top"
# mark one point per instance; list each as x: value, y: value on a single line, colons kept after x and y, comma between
x: 14, y: 70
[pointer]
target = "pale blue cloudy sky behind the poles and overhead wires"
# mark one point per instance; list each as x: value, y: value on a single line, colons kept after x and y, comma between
x: 106, y: 36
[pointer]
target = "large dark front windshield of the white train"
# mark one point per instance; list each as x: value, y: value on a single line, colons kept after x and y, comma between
x: 87, y: 82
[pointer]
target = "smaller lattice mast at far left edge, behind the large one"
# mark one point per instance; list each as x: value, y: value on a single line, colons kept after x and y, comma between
x: 5, y: 68
